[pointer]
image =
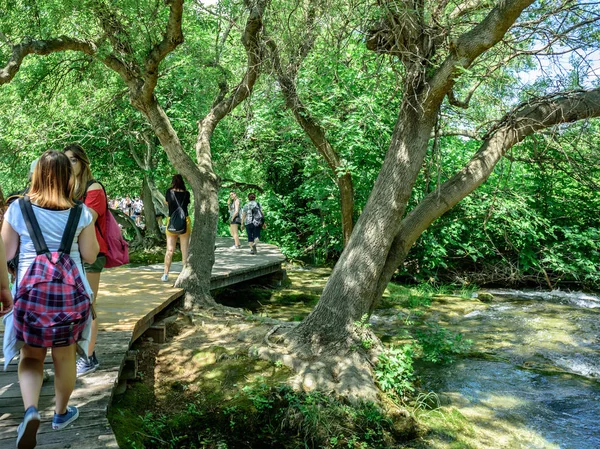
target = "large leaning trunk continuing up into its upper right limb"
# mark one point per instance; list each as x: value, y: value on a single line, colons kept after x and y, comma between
x: 355, y: 283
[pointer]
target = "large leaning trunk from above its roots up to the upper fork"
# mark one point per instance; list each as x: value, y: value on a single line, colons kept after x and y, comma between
x: 351, y: 289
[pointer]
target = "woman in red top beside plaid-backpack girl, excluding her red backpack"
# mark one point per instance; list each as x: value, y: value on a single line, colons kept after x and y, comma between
x: 93, y: 196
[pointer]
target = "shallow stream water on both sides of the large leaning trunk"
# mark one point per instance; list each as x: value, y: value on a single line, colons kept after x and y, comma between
x: 530, y: 380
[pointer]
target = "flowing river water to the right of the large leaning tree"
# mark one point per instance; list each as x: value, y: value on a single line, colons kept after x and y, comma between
x: 532, y: 376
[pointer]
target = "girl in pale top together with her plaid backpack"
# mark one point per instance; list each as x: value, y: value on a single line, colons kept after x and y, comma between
x: 52, y: 234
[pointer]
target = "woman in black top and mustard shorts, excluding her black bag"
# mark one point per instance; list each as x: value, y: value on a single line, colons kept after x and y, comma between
x: 177, y: 195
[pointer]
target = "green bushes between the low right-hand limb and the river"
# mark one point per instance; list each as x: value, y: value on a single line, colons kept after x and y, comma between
x: 521, y: 227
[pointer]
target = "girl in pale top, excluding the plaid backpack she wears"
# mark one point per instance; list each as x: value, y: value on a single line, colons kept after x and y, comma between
x: 51, y: 195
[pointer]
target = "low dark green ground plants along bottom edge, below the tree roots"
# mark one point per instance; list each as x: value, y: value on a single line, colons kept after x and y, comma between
x: 270, y: 416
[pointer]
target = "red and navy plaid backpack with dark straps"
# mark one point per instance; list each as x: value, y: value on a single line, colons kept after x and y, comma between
x: 51, y: 306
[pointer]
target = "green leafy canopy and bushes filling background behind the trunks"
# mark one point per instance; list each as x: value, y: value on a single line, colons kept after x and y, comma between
x: 535, y: 221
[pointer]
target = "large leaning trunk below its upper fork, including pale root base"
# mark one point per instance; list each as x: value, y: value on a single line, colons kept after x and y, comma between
x: 329, y: 333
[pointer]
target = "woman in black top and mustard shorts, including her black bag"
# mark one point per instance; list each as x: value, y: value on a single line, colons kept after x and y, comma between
x: 178, y: 199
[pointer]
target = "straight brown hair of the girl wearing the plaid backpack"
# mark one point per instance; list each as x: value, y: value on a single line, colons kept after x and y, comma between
x: 52, y: 182
